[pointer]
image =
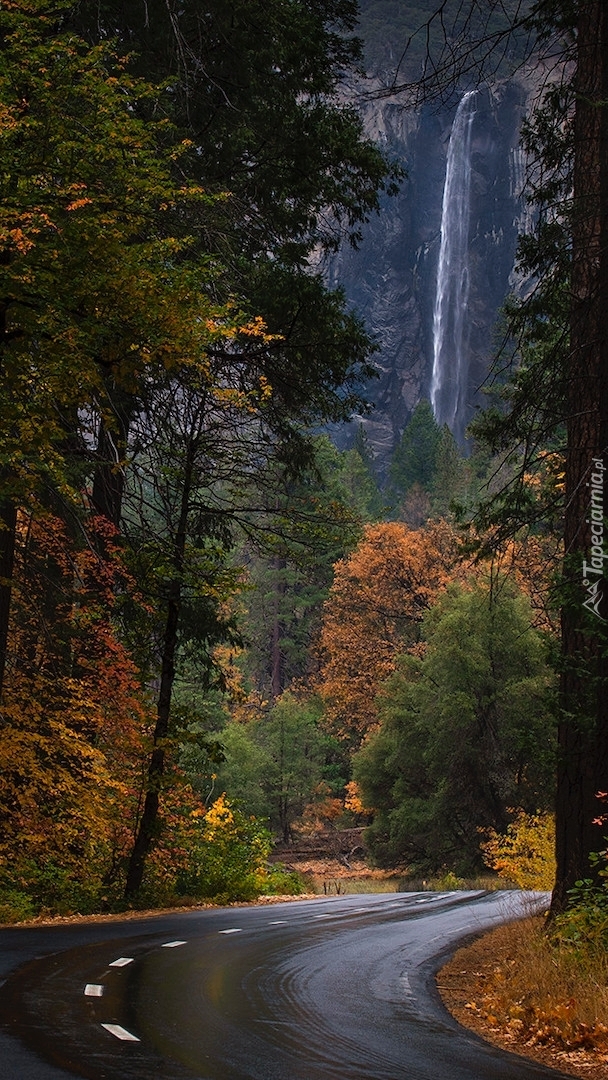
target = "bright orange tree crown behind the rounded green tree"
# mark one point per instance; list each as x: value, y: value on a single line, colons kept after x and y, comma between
x: 380, y: 597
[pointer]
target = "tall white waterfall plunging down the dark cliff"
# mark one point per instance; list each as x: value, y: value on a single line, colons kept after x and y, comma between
x: 451, y: 361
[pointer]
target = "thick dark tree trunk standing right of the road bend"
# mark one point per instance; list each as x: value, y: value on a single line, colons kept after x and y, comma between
x: 583, y: 768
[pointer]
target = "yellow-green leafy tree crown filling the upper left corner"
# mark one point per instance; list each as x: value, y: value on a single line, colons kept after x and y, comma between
x: 97, y: 287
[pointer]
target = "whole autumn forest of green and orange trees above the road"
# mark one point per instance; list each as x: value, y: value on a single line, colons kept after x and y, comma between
x: 220, y: 633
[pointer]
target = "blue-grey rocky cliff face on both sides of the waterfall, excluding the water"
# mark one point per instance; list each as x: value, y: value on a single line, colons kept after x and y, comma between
x: 391, y: 280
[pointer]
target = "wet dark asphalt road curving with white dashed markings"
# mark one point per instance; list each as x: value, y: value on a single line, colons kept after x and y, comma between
x: 334, y: 989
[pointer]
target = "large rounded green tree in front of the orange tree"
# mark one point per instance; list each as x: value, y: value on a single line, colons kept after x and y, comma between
x: 465, y: 733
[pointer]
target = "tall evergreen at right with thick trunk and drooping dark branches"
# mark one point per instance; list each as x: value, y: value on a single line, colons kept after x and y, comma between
x: 562, y: 386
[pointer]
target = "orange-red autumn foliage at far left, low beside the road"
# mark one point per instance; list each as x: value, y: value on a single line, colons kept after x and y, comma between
x: 74, y: 715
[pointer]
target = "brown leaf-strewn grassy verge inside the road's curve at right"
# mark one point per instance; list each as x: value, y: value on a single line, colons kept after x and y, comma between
x: 537, y: 988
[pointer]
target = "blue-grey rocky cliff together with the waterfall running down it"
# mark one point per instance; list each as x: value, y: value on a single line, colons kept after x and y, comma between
x: 434, y: 318
